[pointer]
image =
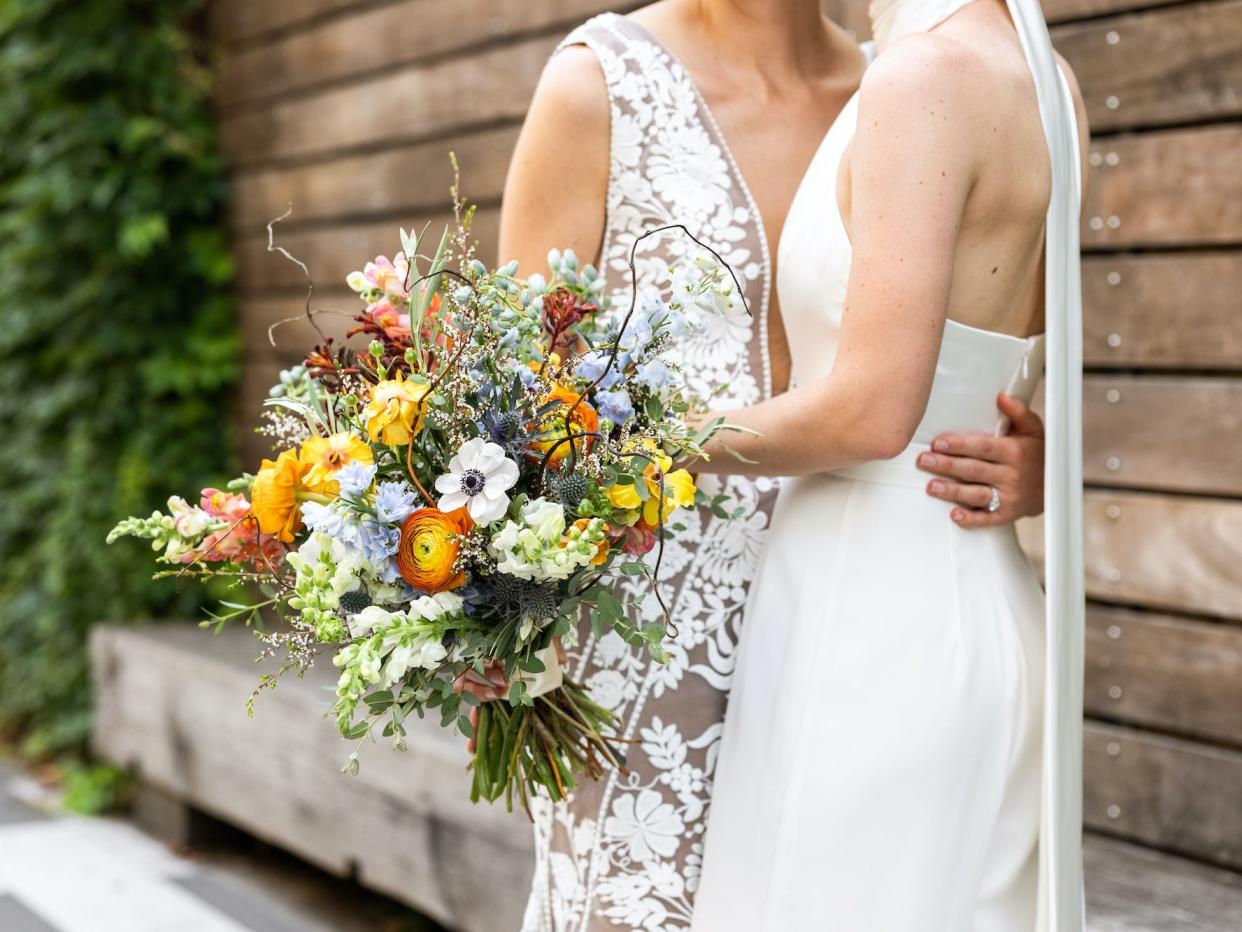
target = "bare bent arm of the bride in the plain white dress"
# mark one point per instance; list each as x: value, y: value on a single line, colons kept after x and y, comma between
x: 910, y: 160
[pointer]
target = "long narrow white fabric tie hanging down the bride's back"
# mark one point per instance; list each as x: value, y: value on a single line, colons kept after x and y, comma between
x: 1063, y: 904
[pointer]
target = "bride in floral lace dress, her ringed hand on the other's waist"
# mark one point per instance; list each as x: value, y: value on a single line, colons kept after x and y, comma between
x: 622, y: 140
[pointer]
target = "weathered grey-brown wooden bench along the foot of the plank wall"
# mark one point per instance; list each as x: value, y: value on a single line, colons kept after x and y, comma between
x: 171, y: 705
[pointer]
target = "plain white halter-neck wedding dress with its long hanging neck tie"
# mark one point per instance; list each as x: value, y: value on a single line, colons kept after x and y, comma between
x: 902, y: 744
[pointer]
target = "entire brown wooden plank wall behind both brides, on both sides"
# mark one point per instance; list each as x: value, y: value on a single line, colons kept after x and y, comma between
x: 347, y: 110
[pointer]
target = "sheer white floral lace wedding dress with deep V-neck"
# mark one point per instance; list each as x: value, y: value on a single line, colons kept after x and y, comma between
x: 625, y: 852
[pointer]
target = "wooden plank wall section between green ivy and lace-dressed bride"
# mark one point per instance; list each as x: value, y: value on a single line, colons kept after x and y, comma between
x: 347, y: 110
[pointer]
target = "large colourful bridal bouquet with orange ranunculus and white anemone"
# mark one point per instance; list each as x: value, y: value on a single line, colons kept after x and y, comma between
x: 446, y: 500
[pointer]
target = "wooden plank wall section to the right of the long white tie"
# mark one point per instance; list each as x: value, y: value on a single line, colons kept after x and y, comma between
x: 1163, y: 285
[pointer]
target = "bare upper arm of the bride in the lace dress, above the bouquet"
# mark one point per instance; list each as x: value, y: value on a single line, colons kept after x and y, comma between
x: 556, y: 194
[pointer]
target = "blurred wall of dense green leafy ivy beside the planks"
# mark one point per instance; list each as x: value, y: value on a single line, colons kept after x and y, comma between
x: 119, y: 342
